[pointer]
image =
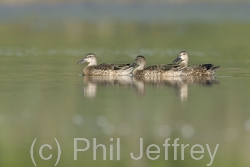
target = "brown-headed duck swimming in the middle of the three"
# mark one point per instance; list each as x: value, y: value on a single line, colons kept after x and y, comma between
x: 155, y: 70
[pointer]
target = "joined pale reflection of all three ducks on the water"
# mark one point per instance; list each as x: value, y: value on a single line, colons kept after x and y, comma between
x: 139, y: 83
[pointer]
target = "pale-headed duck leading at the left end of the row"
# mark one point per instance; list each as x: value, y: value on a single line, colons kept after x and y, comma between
x: 92, y: 69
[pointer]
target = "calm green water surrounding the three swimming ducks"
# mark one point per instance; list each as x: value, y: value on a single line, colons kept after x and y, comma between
x: 44, y: 96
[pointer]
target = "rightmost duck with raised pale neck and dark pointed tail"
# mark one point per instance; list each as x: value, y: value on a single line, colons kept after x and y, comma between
x: 194, y: 70
